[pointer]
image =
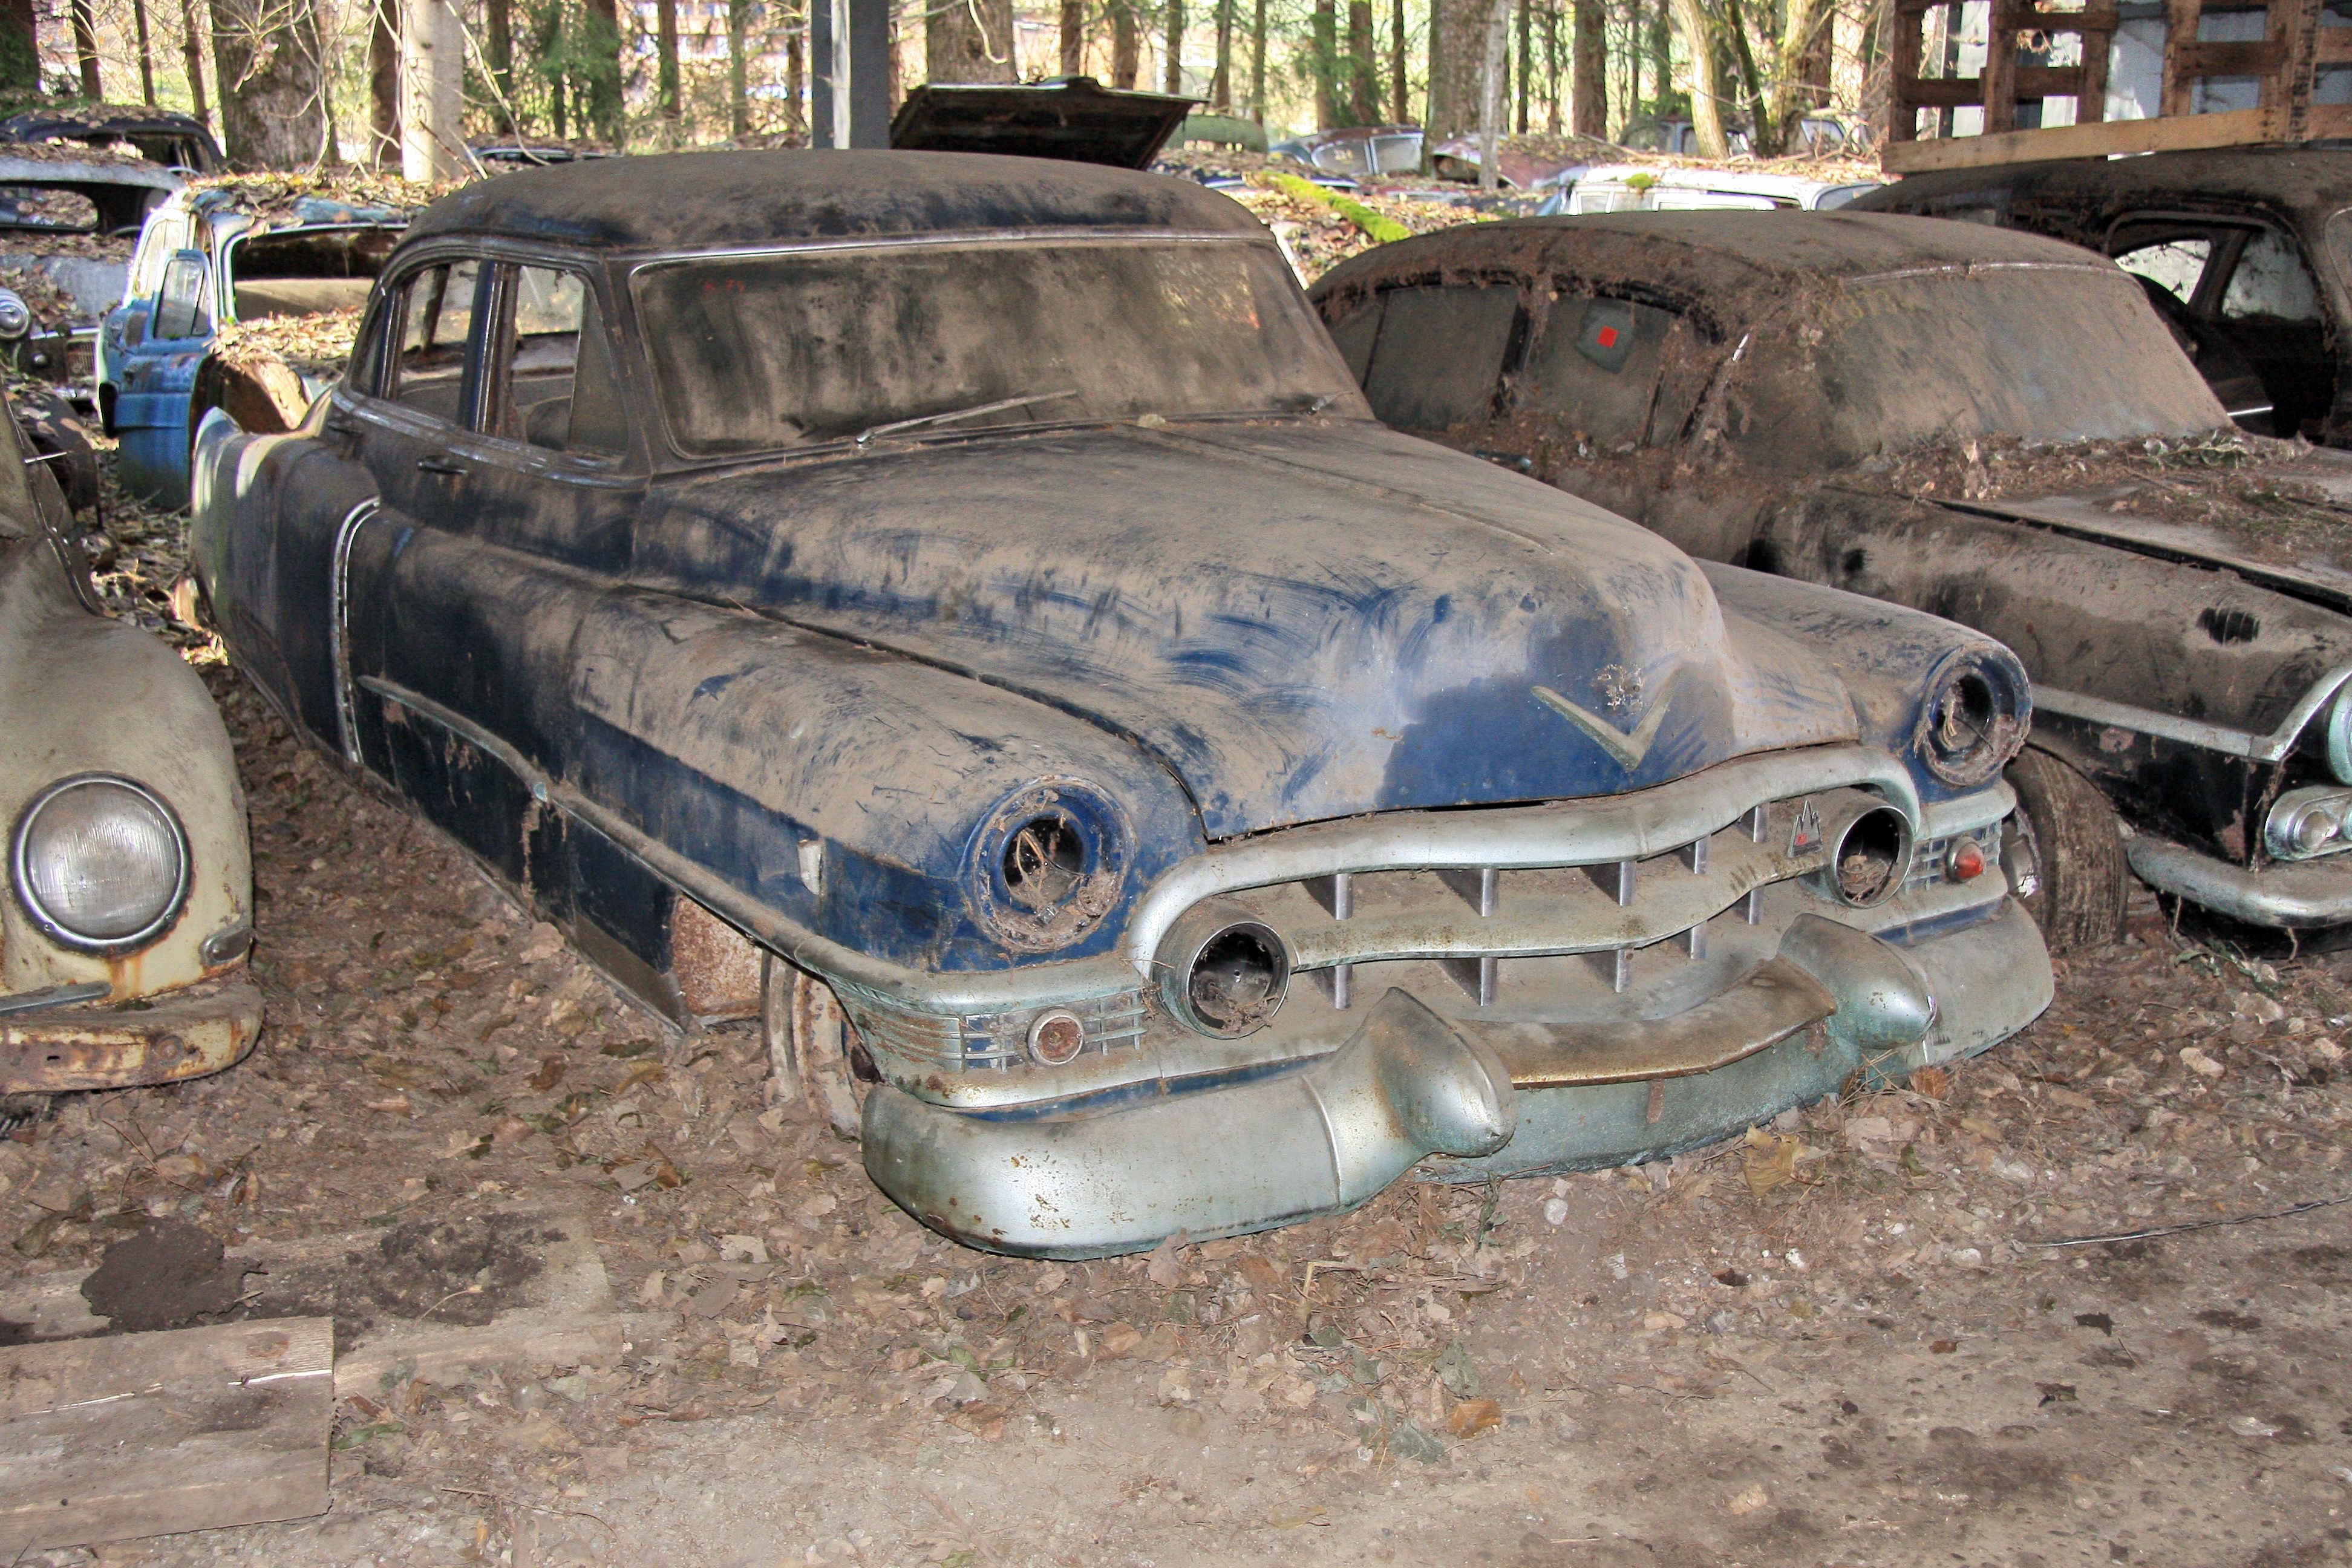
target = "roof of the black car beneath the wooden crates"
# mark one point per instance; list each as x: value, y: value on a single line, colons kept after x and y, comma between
x: 2292, y: 177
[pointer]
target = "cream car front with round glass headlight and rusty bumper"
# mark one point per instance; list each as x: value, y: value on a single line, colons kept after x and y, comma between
x: 128, y: 911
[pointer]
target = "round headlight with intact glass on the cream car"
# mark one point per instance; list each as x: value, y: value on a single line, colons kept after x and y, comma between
x: 100, y: 864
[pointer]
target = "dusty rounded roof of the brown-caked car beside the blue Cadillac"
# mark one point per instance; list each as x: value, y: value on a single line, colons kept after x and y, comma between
x: 1711, y: 255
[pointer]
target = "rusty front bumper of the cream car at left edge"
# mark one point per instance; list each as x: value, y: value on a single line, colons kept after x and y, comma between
x: 178, y: 1036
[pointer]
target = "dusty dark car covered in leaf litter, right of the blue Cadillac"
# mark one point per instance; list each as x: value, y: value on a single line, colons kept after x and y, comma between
x: 1763, y: 368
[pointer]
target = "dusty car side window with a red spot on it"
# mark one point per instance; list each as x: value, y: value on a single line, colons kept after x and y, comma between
x: 1612, y: 370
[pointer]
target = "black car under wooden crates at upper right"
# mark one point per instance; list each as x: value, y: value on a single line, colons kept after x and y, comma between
x: 2245, y: 250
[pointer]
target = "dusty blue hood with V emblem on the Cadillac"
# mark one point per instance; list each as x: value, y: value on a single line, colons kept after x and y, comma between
x: 1299, y: 622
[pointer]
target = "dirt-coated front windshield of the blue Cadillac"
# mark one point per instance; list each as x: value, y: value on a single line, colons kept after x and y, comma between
x: 761, y: 354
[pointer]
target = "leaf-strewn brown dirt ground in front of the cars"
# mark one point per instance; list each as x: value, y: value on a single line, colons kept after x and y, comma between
x: 1845, y: 1339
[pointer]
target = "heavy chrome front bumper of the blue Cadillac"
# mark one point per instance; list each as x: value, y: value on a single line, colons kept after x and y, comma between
x: 1330, y: 1134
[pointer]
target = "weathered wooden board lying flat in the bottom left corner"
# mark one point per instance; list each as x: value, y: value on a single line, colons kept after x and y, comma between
x: 161, y: 1433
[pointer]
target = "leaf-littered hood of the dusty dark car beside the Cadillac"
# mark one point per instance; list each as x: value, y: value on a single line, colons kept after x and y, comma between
x: 2311, y: 565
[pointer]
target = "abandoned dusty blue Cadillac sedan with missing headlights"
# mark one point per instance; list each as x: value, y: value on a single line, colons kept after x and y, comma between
x: 963, y: 610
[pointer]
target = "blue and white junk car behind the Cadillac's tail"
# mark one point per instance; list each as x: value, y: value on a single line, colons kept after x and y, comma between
x: 211, y: 257
